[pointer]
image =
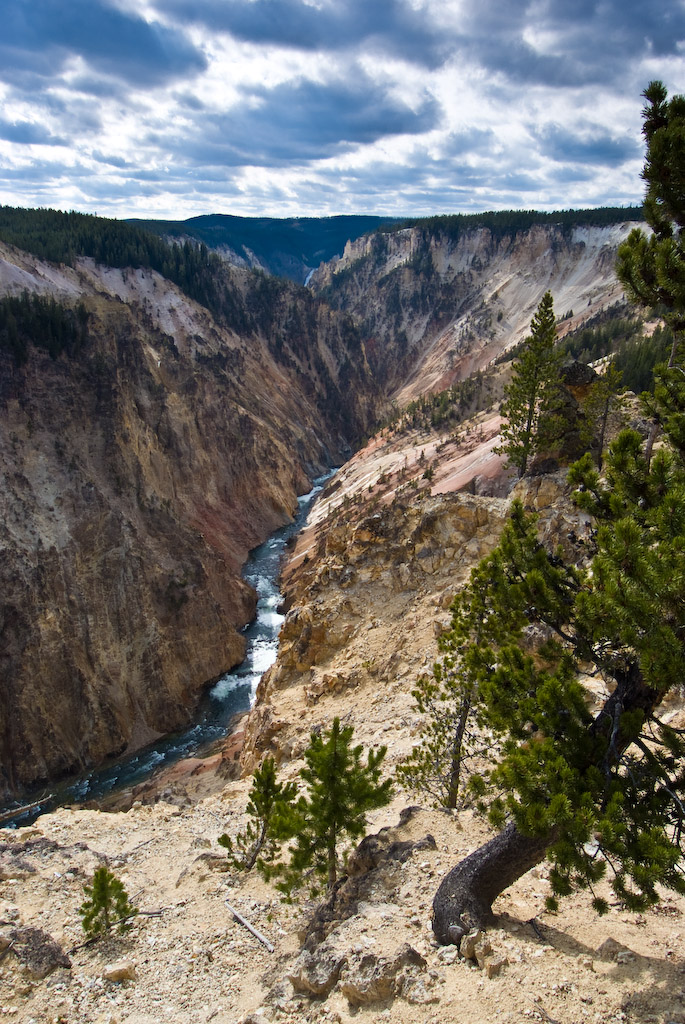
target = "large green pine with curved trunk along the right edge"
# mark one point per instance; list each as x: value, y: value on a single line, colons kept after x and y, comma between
x: 598, y: 791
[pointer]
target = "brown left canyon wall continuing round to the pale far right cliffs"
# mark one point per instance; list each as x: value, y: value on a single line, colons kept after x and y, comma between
x: 137, y: 478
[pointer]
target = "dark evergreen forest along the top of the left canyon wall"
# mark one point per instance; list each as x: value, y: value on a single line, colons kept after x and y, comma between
x: 284, y: 313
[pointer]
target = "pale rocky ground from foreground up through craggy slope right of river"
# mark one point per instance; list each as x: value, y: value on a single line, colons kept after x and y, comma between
x: 367, y: 606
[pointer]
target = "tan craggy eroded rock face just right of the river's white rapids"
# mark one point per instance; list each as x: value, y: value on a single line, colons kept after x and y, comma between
x: 371, y: 588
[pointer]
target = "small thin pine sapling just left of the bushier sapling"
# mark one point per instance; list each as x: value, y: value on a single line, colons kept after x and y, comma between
x: 258, y: 844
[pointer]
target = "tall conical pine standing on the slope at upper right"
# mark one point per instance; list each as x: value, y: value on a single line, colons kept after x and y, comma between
x: 531, y: 397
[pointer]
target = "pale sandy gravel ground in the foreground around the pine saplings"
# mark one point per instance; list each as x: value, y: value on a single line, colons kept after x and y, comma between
x: 194, y: 963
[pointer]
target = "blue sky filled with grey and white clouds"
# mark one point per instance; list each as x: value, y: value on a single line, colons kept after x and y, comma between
x: 170, y: 109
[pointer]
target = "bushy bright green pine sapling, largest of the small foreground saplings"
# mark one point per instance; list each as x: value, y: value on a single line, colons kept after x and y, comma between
x: 341, y: 789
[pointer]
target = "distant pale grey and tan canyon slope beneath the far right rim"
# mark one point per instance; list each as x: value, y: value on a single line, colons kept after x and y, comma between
x: 440, y: 304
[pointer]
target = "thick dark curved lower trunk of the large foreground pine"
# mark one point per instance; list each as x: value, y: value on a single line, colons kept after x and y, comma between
x: 465, y: 898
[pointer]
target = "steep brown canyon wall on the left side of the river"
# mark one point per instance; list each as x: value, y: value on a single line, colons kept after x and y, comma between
x: 136, y: 478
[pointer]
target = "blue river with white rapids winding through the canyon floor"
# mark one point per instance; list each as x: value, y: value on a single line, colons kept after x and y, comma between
x: 233, y: 695
